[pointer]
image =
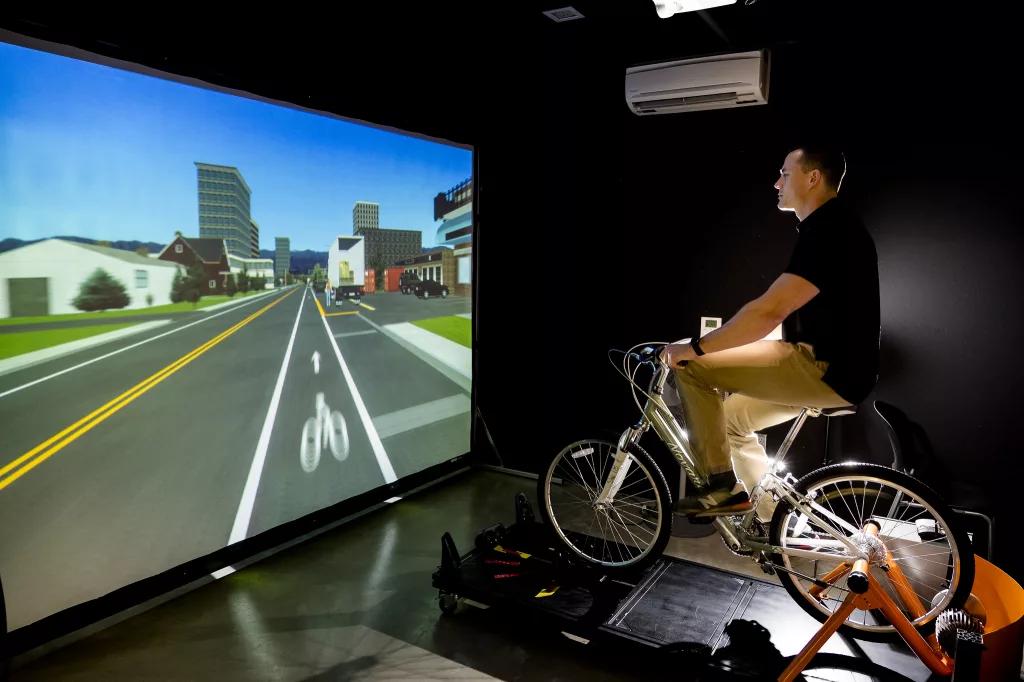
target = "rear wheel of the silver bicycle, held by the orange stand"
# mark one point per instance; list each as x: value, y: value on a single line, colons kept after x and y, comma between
x: 918, y: 532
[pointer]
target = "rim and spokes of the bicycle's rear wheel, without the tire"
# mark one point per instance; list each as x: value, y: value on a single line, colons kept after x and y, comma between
x: 930, y: 565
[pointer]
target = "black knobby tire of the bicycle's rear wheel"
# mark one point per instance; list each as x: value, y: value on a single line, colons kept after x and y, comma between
x: 965, y: 557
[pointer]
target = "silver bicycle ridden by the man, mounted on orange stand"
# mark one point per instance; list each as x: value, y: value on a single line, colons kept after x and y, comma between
x: 820, y: 528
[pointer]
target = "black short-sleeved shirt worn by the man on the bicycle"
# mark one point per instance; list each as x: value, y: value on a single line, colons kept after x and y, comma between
x: 837, y: 254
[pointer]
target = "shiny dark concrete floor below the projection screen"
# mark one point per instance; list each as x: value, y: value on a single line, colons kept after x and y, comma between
x: 353, y: 604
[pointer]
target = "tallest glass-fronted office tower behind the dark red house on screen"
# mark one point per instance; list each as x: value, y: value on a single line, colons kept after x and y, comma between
x: 224, y: 209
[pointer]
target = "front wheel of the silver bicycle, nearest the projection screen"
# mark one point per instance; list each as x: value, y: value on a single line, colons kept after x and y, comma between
x: 631, y: 531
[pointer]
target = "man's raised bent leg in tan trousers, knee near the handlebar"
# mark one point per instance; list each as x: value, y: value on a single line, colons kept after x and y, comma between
x: 775, y: 372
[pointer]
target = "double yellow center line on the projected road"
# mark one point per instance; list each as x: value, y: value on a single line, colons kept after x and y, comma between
x: 87, y: 423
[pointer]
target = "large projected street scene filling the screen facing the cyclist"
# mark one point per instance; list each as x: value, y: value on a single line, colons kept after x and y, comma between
x: 217, y: 316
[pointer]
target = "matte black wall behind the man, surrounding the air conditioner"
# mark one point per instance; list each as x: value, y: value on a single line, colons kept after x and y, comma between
x: 634, y: 228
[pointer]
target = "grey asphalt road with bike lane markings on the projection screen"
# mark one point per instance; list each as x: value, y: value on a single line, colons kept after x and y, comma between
x: 159, y: 477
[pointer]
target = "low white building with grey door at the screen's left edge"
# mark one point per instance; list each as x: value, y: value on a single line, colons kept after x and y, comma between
x: 45, y: 278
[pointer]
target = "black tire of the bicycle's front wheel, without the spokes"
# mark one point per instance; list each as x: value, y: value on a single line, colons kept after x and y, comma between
x: 648, y: 462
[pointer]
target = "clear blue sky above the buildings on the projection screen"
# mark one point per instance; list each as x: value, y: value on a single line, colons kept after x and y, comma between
x: 91, y: 151
